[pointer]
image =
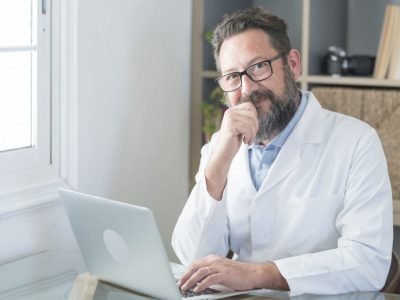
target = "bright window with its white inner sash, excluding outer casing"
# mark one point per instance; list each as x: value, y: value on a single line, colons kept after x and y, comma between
x: 25, y: 93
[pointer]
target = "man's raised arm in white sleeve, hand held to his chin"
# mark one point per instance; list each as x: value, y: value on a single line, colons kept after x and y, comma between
x: 202, y: 227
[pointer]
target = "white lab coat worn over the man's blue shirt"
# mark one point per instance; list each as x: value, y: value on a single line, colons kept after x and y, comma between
x: 323, y: 213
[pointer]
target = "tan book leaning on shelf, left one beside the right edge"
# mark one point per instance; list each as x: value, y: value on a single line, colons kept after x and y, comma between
x: 386, y: 42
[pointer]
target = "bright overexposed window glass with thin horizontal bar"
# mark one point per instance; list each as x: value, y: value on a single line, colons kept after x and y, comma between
x: 17, y: 73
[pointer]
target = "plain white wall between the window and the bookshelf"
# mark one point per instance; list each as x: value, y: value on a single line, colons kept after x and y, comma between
x: 134, y: 87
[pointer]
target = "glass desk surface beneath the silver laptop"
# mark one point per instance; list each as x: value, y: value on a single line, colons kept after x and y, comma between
x: 40, y: 277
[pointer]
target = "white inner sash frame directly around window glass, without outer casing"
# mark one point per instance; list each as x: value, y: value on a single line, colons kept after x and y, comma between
x: 26, y: 165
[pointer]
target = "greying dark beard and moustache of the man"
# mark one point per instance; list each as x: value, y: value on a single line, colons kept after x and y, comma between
x: 282, y: 108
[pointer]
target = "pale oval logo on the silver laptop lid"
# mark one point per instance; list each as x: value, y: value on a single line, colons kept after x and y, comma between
x: 116, y: 246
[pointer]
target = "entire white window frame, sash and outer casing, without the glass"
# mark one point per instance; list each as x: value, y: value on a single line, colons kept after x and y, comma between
x: 58, y: 168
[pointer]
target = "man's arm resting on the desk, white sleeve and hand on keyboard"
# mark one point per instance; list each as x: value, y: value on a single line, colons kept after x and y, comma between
x: 362, y: 257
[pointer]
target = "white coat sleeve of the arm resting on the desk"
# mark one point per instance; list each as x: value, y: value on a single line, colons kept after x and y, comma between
x: 362, y: 258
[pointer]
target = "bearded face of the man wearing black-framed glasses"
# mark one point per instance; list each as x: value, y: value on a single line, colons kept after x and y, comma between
x: 274, y: 98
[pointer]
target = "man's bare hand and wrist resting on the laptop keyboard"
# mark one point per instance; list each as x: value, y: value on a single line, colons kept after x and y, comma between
x: 236, y: 275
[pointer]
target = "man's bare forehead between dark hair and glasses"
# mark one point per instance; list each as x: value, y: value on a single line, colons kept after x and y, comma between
x: 242, y: 49
